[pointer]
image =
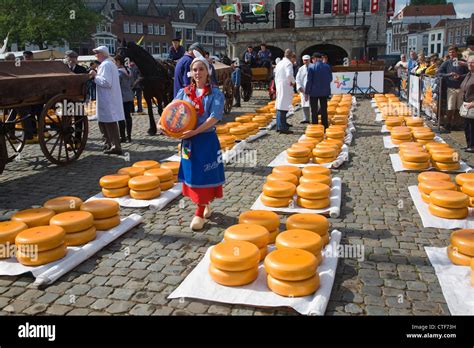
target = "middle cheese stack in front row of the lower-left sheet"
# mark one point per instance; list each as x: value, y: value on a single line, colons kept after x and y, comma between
x: 78, y: 225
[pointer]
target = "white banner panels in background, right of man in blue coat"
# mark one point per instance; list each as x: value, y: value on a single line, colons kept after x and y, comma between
x: 342, y: 81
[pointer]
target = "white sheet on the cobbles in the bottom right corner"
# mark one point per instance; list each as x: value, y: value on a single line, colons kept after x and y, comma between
x: 455, y: 282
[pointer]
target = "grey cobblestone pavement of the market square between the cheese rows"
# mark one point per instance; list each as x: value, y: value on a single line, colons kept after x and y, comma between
x: 135, y: 274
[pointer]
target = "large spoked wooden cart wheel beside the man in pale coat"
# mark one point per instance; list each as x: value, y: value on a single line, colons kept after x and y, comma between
x: 66, y: 130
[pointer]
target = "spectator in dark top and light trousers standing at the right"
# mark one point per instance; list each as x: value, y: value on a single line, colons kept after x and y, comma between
x: 452, y: 74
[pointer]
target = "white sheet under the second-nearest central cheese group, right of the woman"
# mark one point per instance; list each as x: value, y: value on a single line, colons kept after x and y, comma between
x: 333, y: 210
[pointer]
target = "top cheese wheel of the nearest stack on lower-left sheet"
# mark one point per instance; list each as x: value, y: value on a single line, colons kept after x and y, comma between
x: 41, y: 237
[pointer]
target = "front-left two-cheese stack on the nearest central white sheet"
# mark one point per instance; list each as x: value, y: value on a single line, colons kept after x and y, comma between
x: 234, y: 263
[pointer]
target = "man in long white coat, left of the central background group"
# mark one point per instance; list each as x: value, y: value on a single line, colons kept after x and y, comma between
x: 284, y: 82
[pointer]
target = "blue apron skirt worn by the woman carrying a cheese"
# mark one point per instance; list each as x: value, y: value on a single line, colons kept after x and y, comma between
x: 201, y: 161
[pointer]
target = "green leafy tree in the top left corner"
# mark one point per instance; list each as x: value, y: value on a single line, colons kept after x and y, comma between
x: 43, y: 22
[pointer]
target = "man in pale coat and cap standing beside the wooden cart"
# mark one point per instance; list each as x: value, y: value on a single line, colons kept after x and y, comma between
x: 109, y: 100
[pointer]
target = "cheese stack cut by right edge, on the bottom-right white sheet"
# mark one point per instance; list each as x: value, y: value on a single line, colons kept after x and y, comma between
x: 461, y: 248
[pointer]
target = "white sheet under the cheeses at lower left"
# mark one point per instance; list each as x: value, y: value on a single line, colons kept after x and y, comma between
x: 49, y: 273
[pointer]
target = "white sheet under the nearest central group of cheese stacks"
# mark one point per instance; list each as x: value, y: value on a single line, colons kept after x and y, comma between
x: 199, y: 285
